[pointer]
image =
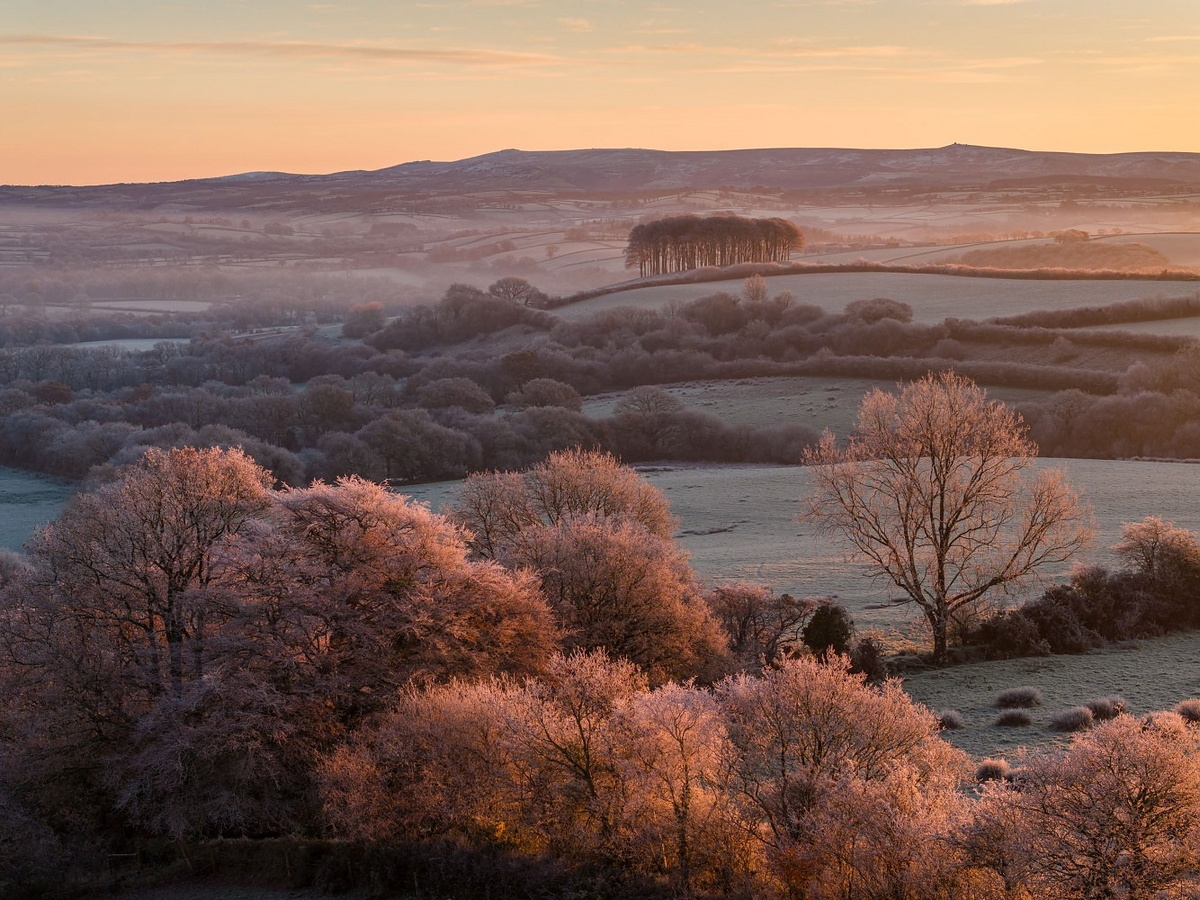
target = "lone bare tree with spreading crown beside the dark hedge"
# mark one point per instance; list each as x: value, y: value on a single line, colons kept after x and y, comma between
x: 933, y: 493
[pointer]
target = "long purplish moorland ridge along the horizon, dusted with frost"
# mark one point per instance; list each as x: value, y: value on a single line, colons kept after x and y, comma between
x: 958, y: 166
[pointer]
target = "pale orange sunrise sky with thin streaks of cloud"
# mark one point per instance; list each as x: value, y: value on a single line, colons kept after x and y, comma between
x: 99, y: 92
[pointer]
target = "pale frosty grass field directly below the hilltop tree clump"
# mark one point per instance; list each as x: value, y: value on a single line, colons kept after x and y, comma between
x: 933, y: 298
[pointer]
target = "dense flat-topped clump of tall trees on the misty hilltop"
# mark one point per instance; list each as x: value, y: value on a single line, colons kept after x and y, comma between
x: 681, y: 243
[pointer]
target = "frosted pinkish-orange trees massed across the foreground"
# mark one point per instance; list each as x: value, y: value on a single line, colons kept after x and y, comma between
x: 531, y: 694
